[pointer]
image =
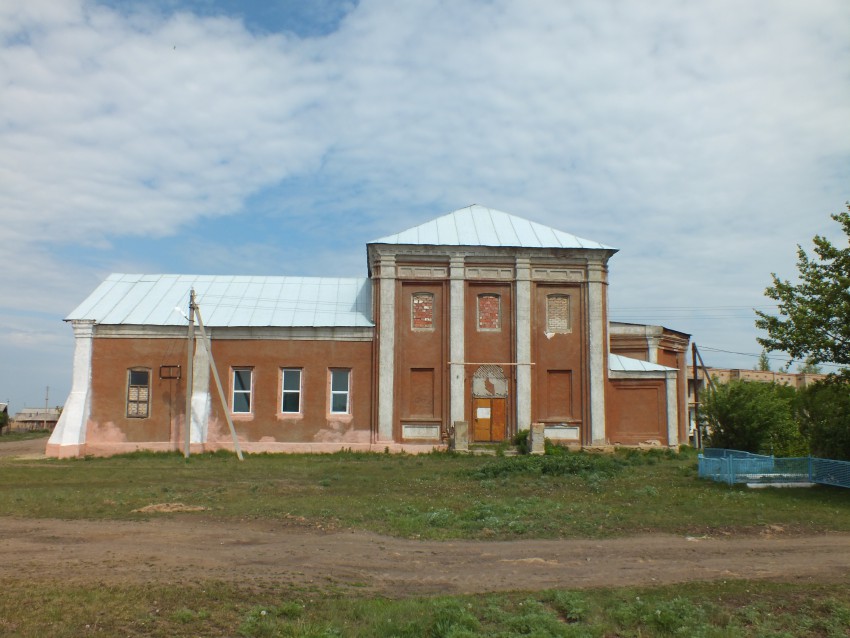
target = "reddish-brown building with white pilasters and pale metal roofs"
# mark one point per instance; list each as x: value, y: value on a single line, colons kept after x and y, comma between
x: 476, y: 316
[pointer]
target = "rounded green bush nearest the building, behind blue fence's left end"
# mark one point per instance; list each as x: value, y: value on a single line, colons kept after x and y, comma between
x: 753, y: 417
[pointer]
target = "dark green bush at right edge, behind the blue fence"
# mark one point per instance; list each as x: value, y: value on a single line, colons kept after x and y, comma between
x: 823, y: 412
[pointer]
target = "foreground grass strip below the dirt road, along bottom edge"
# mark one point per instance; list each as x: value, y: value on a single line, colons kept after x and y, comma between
x: 724, y: 609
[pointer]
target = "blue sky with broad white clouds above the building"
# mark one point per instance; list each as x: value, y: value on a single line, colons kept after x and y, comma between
x: 704, y: 140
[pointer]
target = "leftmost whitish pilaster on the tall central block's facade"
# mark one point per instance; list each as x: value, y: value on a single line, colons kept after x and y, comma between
x: 386, y: 347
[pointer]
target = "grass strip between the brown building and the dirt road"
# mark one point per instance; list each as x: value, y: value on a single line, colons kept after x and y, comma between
x: 436, y: 496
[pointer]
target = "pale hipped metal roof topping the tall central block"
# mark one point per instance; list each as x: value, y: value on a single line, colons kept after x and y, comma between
x: 480, y: 226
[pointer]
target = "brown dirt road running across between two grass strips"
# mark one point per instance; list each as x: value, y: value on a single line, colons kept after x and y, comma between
x: 188, y: 549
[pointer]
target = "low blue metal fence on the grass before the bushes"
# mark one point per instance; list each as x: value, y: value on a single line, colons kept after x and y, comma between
x: 734, y: 466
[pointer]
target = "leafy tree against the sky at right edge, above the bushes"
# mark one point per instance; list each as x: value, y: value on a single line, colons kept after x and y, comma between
x: 814, y: 315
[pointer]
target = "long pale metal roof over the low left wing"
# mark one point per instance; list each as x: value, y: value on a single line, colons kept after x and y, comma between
x: 235, y: 301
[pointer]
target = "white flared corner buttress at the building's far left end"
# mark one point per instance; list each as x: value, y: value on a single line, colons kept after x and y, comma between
x: 69, y: 435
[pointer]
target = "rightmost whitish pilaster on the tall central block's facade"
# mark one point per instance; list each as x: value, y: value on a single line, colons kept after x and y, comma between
x: 597, y: 355
